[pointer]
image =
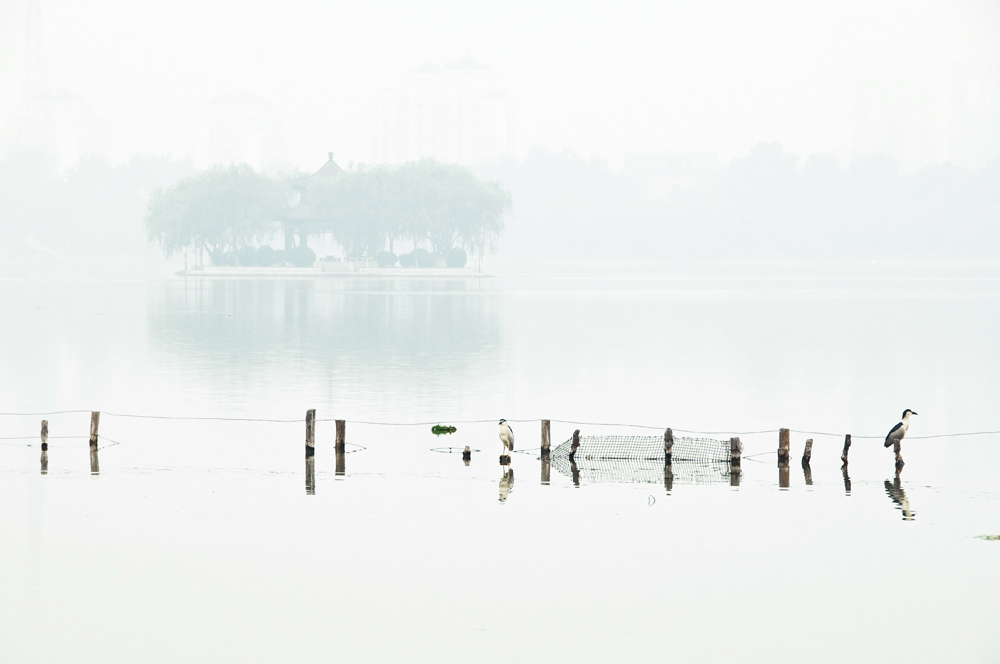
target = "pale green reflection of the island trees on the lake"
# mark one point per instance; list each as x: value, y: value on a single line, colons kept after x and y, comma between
x: 372, y: 332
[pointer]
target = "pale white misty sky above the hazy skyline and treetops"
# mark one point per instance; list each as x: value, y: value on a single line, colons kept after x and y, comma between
x: 600, y: 78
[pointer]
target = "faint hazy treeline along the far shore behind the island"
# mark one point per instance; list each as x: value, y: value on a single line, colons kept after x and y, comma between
x: 769, y: 204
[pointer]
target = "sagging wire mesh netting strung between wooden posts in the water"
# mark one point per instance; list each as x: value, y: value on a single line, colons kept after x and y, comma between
x: 640, y: 460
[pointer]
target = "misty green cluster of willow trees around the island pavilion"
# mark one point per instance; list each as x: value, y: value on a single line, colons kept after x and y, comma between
x: 234, y: 213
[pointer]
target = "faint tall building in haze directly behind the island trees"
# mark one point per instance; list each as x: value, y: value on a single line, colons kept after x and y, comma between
x: 455, y: 113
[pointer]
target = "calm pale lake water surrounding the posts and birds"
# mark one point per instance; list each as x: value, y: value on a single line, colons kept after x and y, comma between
x: 198, y: 541
